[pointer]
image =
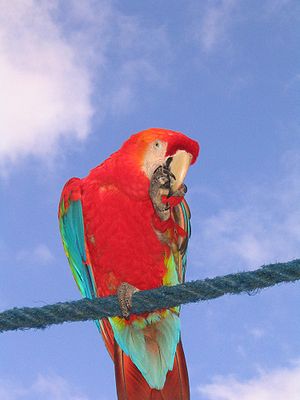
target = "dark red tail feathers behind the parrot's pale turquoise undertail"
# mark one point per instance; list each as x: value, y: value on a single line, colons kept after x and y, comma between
x: 131, y: 385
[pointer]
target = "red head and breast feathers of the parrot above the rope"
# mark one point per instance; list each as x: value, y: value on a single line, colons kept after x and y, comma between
x: 118, y: 216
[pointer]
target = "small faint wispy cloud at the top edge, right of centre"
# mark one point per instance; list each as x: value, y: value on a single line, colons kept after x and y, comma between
x: 214, y: 24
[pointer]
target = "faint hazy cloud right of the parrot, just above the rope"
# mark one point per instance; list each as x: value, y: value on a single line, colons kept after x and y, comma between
x: 263, y: 228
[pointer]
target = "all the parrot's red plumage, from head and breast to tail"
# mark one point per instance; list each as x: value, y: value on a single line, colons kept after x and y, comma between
x: 122, y: 245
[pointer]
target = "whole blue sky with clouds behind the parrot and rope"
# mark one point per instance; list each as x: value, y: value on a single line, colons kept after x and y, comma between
x: 76, y: 80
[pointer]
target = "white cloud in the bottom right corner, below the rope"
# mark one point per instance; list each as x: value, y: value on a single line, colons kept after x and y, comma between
x: 283, y: 383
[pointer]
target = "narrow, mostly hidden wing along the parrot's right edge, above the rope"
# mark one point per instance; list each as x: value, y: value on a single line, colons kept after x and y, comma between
x: 182, y: 217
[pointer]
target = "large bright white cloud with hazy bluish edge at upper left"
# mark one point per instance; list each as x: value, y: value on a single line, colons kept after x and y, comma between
x: 53, y: 61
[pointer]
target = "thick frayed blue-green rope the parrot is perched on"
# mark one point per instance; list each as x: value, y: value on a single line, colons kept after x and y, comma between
x: 150, y: 300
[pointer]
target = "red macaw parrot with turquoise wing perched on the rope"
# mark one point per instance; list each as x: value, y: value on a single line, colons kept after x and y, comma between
x: 125, y: 228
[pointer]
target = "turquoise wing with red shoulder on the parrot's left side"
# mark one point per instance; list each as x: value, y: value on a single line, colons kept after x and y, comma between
x: 72, y: 232
